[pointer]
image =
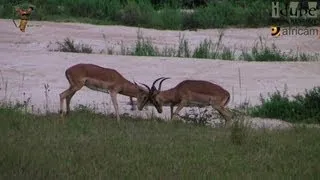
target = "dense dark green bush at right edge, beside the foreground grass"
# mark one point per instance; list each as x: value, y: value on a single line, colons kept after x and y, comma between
x: 299, y: 108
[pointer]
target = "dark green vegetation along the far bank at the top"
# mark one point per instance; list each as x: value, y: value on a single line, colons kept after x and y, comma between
x: 160, y: 14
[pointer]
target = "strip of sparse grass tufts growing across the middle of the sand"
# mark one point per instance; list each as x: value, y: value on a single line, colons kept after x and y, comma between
x: 207, y: 49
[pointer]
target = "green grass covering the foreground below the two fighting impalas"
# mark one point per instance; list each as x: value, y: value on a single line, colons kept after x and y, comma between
x: 93, y: 146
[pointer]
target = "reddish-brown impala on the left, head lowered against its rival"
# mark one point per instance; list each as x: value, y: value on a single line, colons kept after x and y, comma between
x: 99, y: 79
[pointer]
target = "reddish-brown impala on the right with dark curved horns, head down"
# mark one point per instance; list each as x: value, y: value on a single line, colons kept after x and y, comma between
x: 188, y: 93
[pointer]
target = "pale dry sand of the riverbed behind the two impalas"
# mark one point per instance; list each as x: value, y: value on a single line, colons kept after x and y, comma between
x: 26, y: 64
